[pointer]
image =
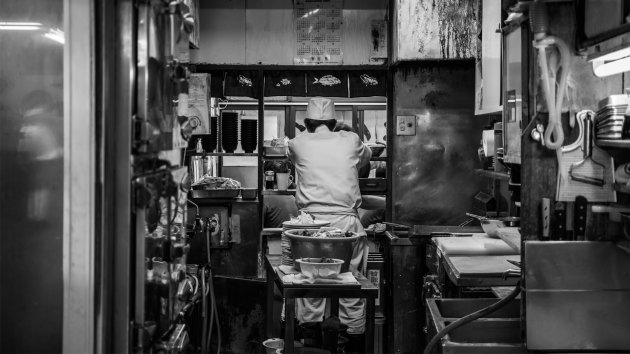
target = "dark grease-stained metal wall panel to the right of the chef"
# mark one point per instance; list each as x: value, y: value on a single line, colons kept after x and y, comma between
x: 433, y: 181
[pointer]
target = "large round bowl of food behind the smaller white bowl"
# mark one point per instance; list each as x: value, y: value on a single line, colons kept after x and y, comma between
x: 303, y: 245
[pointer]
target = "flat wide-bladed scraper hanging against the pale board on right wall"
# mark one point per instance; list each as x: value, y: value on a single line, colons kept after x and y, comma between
x: 588, y: 170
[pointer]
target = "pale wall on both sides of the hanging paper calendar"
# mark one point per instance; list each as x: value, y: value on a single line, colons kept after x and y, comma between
x: 262, y: 31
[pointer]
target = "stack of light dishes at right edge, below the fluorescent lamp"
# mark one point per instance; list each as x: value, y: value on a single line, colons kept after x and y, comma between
x: 610, y: 118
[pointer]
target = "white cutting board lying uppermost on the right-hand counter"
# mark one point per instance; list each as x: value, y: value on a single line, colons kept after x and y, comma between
x: 477, y: 244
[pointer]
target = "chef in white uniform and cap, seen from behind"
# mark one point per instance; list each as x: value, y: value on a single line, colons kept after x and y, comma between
x: 327, y: 165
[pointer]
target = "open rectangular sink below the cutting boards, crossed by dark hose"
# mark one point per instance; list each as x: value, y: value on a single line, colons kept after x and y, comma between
x: 498, y: 333
